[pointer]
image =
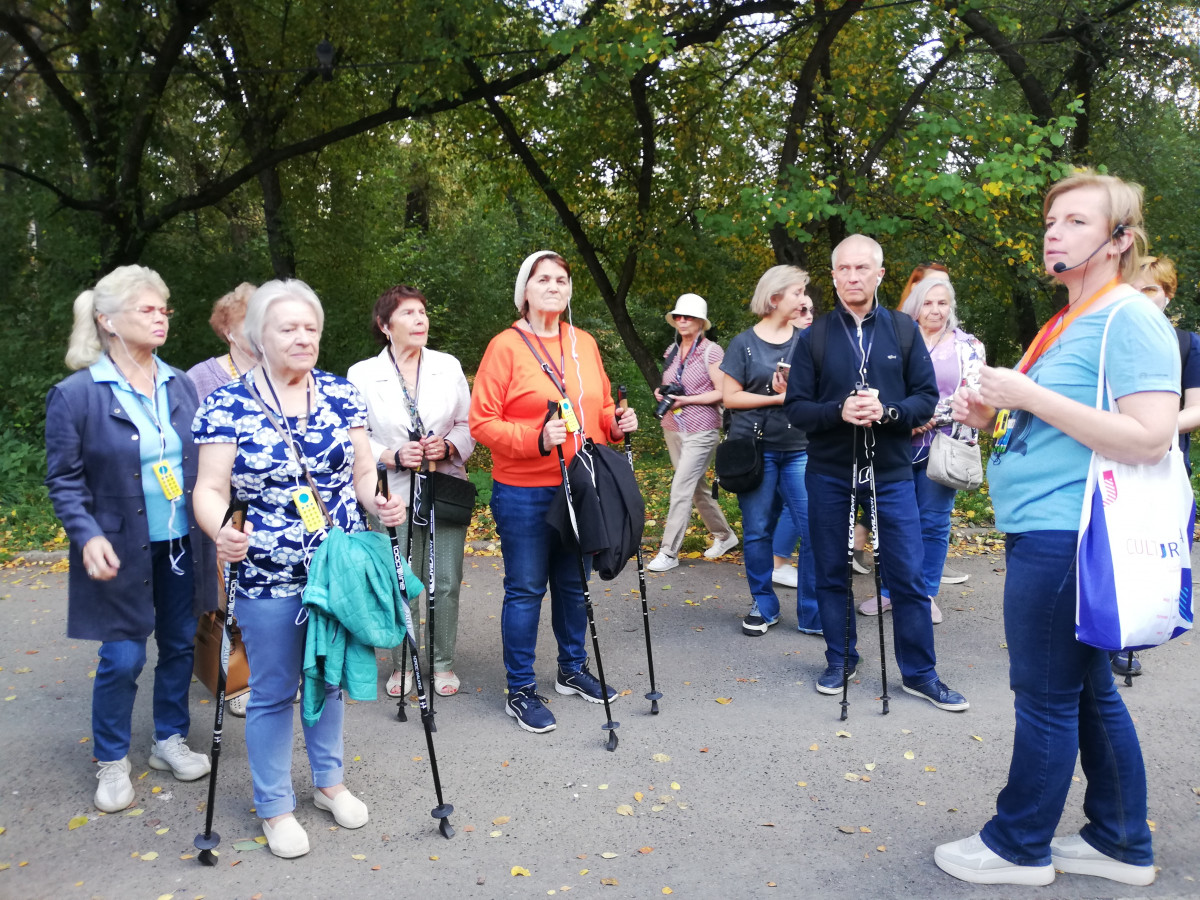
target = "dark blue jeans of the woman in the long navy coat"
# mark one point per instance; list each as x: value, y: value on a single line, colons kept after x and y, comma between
x: 122, y: 662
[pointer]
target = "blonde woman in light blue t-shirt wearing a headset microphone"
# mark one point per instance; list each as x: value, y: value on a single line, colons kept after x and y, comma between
x: 1067, y: 705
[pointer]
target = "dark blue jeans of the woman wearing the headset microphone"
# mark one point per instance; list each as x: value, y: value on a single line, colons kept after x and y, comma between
x: 1066, y: 704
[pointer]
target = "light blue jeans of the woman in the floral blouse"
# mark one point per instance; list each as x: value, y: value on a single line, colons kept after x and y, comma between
x: 274, y: 631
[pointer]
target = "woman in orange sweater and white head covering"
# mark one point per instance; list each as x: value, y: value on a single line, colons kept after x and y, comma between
x: 541, y: 359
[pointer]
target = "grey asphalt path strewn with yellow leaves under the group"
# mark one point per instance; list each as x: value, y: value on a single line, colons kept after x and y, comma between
x: 746, y: 785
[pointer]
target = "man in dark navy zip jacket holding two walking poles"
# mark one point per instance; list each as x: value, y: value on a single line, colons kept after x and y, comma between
x: 862, y: 380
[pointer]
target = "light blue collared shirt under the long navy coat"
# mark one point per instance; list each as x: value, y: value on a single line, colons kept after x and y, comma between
x: 166, y: 520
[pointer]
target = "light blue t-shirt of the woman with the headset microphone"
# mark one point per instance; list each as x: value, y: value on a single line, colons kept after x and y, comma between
x: 1039, y: 483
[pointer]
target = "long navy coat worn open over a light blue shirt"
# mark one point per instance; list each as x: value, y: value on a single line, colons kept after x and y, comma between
x: 94, y: 475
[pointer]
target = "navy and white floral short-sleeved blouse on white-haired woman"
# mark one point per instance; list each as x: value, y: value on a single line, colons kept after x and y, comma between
x: 266, y: 473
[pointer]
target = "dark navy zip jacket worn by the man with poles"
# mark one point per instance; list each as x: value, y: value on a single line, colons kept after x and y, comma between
x: 907, y: 386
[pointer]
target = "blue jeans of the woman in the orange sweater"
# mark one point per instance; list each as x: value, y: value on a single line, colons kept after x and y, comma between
x: 535, y: 556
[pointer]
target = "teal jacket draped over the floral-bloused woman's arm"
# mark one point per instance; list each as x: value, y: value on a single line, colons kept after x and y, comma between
x: 355, y: 605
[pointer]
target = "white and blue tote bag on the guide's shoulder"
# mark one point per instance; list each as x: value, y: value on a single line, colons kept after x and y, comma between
x: 1133, y: 571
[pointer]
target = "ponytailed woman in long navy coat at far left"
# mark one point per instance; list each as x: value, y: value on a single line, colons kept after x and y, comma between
x: 121, y: 472
